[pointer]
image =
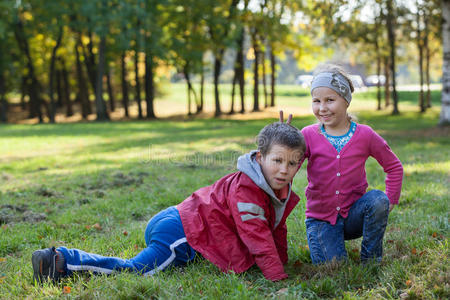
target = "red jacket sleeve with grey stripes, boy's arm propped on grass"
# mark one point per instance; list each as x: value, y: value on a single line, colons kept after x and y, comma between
x: 250, y: 212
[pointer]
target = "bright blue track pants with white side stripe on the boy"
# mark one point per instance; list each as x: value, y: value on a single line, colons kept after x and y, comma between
x: 166, y: 246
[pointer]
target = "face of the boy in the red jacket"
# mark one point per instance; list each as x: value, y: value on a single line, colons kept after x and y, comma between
x: 279, y: 165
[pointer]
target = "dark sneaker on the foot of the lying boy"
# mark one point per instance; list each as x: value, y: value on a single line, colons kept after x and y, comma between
x: 44, y: 265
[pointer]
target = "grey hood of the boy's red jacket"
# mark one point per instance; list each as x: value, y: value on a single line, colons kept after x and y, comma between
x: 247, y: 164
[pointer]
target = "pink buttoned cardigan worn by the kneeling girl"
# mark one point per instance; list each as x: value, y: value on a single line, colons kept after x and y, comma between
x: 337, y: 180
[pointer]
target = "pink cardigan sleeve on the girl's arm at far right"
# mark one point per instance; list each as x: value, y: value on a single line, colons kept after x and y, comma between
x: 392, y: 166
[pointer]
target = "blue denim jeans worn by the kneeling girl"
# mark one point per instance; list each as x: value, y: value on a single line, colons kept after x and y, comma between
x: 367, y: 218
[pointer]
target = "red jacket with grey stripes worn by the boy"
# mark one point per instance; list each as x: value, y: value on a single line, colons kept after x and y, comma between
x: 231, y: 223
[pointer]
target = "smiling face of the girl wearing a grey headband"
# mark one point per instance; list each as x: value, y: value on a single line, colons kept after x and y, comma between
x: 329, y: 108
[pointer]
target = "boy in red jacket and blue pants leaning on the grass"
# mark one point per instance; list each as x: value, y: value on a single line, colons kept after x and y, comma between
x: 234, y: 223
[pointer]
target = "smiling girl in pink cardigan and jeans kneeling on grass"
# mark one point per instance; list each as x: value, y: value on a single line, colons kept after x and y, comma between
x: 338, y: 206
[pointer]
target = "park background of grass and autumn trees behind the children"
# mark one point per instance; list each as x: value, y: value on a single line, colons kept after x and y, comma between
x: 149, y: 100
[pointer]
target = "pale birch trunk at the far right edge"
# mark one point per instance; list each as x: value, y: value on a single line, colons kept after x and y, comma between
x: 444, y: 118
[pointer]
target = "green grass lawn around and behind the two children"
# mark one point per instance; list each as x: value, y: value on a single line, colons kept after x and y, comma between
x: 57, y: 181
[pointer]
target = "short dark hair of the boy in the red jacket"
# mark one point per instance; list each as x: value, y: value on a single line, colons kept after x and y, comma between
x: 280, y: 133
